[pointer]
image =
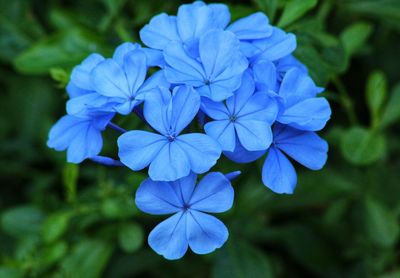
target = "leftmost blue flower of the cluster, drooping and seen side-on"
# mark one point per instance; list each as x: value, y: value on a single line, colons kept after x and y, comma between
x: 80, y: 136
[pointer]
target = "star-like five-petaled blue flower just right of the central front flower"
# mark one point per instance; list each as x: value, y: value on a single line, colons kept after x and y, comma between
x: 247, y: 116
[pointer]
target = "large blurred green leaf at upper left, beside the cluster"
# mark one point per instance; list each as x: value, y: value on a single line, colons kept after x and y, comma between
x: 64, y: 49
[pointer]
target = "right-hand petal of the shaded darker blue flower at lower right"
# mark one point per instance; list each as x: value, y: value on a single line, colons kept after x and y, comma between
x: 305, y: 147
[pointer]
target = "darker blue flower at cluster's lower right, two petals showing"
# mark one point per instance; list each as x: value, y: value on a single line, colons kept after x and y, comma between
x: 305, y: 147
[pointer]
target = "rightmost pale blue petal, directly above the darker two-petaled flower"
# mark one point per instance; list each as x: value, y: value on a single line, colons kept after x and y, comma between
x: 310, y: 114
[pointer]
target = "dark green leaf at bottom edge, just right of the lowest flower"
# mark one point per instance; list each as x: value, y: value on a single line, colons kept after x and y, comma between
x: 239, y: 259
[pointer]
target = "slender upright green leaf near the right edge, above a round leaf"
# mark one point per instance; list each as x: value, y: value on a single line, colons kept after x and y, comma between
x: 376, y: 95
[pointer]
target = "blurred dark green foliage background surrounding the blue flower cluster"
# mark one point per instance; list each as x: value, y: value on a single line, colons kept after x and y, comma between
x: 64, y: 220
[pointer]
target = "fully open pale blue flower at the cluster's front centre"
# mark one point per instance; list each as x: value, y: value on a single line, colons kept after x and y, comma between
x: 170, y: 155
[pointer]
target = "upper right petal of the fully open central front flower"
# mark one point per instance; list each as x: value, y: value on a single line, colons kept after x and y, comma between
x: 185, y: 105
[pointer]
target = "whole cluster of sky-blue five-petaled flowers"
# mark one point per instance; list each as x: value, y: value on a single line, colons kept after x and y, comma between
x: 237, y: 81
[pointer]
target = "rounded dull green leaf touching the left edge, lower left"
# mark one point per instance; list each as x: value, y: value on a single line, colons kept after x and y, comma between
x: 22, y: 221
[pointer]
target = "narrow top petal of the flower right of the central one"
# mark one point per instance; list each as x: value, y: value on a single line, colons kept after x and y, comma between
x: 242, y: 95
